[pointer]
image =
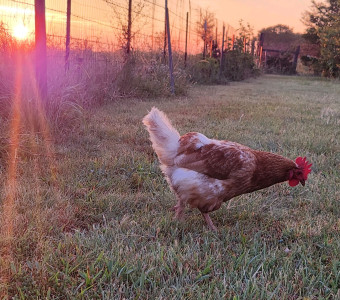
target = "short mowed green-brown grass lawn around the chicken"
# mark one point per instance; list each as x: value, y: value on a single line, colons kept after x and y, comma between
x: 93, y: 220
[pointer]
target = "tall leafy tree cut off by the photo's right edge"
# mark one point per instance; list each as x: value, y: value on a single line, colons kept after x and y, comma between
x: 323, y: 23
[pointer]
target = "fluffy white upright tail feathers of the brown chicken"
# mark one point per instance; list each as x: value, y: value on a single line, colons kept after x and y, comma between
x: 164, y: 137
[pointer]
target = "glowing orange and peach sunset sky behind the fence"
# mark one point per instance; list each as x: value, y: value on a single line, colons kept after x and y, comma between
x: 94, y: 20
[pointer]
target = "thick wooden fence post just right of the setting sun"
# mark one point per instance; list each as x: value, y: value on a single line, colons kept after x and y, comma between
x: 40, y: 48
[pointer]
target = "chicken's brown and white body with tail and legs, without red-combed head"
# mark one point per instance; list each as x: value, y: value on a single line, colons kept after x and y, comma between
x: 205, y: 172
